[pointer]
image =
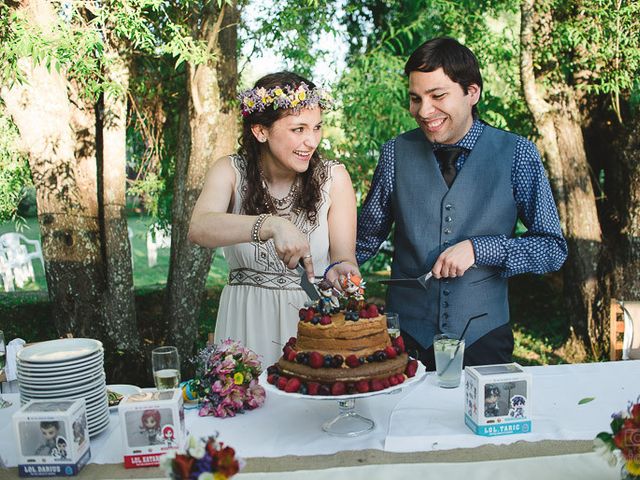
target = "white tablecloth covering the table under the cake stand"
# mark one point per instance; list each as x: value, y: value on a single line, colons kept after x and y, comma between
x: 422, y: 417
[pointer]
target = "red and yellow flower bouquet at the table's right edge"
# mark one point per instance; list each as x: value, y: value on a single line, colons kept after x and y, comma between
x: 623, y: 443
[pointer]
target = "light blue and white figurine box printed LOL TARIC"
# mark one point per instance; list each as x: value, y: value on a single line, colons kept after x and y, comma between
x: 497, y: 399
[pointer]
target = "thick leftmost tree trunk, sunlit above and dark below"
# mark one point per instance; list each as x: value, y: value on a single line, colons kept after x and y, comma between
x: 65, y: 191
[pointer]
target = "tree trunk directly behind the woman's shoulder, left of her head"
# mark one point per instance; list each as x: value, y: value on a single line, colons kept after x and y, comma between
x: 213, y: 133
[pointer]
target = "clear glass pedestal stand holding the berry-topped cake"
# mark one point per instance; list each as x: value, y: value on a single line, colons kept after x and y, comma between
x: 348, y: 423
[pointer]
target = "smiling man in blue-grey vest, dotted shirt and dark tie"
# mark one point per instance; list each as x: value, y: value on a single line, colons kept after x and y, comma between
x: 453, y: 190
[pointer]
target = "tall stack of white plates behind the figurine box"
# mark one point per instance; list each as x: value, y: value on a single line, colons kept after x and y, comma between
x: 68, y: 368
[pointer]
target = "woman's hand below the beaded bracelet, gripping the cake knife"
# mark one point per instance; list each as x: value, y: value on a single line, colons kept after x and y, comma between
x: 291, y: 244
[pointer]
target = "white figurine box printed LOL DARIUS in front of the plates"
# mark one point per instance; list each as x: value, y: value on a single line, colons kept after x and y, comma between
x: 52, y: 438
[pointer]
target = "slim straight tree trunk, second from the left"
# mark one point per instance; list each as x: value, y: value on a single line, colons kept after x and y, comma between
x: 121, y: 332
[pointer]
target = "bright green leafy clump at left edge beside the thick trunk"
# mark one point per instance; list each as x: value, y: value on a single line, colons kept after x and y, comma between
x: 14, y: 169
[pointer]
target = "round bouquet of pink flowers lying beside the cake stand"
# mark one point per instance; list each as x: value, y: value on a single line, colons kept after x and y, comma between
x: 227, y: 380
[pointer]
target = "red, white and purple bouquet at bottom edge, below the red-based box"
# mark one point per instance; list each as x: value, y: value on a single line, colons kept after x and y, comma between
x: 204, y: 459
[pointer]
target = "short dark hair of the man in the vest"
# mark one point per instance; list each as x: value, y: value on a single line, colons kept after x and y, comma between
x: 457, y: 61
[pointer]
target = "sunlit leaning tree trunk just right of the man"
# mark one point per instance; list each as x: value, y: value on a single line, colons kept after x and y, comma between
x: 557, y: 120
